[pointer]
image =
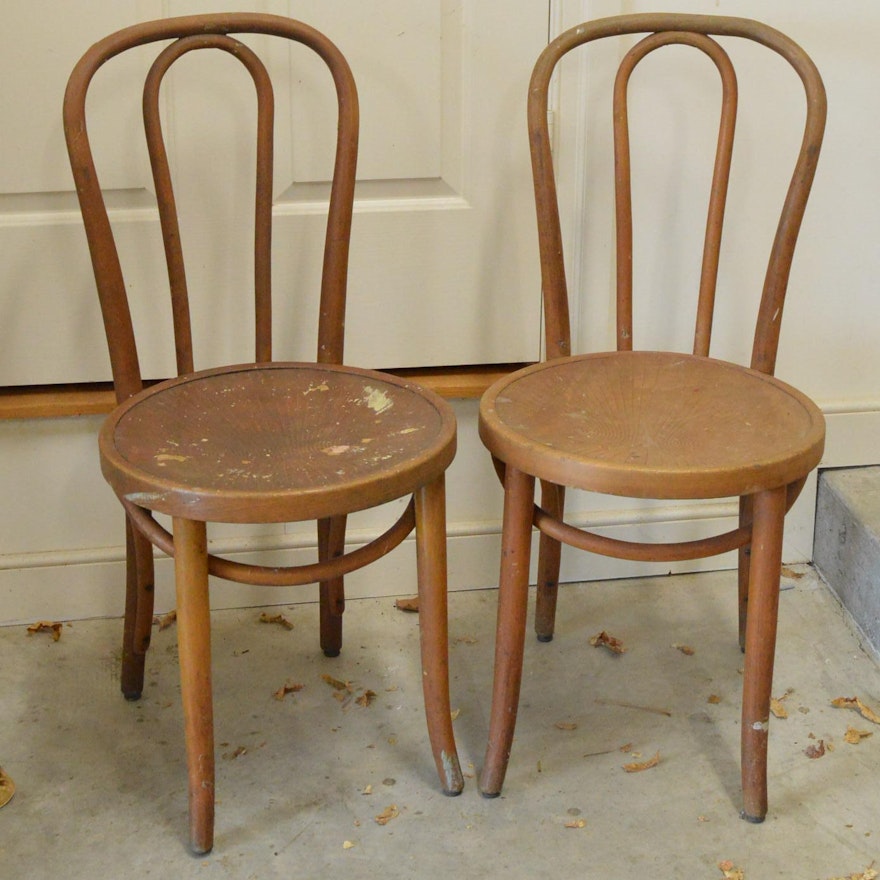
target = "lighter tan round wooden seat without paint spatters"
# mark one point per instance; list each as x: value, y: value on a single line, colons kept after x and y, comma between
x: 652, y: 425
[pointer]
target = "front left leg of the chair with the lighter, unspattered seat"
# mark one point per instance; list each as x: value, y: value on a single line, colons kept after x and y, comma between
x: 511, y: 627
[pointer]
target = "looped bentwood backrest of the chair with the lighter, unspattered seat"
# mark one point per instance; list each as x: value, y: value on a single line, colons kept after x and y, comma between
x: 697, y: 31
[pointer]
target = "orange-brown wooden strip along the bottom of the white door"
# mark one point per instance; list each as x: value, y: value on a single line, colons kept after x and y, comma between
x: 97, y: 398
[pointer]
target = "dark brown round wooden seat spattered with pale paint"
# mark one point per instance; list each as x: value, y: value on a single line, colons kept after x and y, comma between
x: 275, y: 442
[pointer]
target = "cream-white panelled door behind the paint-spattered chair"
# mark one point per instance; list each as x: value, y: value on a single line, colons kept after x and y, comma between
x: 444, y: 262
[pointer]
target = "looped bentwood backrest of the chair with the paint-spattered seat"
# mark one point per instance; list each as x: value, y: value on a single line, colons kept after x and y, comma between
x: 210, y: 32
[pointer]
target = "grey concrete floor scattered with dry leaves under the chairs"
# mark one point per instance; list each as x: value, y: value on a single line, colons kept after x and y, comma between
x: 101, y: 782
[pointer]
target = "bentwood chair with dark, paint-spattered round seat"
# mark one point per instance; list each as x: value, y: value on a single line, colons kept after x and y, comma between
x: 259, y: 442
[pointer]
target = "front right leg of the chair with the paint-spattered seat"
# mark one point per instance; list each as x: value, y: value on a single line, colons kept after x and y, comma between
x: 430, y: 510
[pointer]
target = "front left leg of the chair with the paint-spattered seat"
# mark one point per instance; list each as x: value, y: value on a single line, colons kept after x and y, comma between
x: 194, y: 645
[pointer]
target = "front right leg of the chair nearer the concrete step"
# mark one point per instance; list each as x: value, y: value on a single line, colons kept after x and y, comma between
x: 769, y: 515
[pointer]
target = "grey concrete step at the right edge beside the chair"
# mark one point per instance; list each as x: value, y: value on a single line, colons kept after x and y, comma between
x: 847, y: 544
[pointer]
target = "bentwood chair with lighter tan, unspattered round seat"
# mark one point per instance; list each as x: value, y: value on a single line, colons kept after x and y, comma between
x: 653, y: 424
